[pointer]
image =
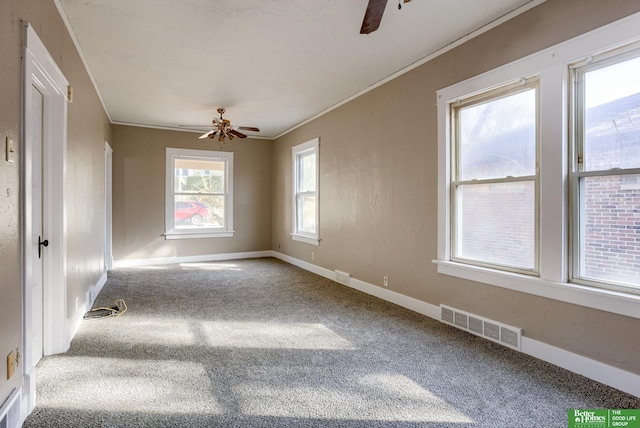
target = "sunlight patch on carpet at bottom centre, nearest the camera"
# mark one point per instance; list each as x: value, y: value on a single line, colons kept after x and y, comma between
x: 357, y: 396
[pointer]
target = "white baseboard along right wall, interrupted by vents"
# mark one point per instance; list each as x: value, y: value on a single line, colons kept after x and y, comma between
x: 595, y: 370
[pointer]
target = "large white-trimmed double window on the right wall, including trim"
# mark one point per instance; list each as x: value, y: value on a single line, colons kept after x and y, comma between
x: 539, y: 173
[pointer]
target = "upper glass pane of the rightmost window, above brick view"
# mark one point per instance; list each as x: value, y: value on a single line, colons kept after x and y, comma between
x: 612, y: 117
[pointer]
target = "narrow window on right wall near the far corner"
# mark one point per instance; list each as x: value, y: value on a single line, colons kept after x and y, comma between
x: 305, y: 192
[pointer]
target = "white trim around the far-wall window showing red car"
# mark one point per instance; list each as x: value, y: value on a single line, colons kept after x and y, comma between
x: 209, y: 232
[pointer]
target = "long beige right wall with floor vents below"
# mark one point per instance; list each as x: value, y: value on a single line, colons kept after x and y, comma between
x: 378, y: 187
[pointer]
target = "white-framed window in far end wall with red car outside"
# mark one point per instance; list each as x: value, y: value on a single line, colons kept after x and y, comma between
x: 199, y: 194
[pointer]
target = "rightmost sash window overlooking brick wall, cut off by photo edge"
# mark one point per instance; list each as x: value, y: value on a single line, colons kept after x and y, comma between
x: 606, y: 172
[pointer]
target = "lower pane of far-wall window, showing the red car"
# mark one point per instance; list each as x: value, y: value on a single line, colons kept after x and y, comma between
x: 197, y: 212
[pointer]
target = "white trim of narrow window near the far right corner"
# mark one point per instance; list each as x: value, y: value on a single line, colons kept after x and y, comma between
x: 309, y: 238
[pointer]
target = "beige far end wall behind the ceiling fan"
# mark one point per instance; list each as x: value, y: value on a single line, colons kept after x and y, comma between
x: 139, y: 195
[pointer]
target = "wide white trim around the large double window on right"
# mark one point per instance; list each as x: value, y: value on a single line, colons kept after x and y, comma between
x: 551, y: 65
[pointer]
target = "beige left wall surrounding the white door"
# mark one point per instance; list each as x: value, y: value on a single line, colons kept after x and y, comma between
x: 88, y: 128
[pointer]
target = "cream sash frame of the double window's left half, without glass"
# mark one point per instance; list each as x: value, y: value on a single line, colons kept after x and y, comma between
x: 504, y: 91
